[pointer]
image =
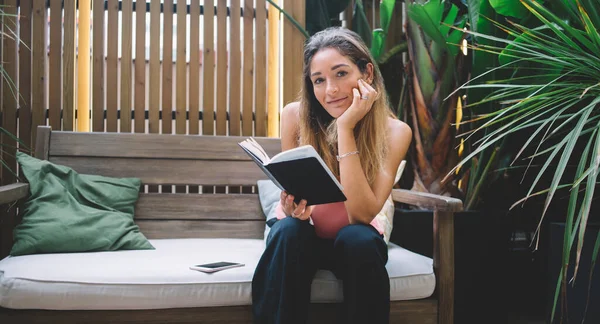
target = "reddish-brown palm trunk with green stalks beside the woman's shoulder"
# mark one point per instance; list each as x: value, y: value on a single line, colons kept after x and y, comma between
x: 434, y: 71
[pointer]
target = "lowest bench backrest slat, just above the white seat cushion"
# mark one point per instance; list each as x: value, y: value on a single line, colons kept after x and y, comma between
x: 169, y: 229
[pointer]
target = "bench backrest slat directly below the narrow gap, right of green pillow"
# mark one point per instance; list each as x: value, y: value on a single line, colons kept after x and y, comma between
x: 199, y: 207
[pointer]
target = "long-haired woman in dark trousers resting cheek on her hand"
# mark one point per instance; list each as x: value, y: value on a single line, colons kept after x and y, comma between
x: 344, y: 114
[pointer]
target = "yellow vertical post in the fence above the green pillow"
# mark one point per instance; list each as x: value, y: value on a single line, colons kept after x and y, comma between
x: 83, y: 67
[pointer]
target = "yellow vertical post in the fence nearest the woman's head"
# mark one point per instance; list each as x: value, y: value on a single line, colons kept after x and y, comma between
x: 273, y: 76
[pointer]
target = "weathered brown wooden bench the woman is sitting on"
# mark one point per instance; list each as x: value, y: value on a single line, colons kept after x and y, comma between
x: 210, y: 161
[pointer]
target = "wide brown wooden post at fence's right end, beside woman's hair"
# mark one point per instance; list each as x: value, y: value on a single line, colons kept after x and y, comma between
x: 293, y: 44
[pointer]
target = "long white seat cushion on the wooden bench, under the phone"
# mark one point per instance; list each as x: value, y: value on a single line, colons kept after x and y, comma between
x: 161, y: 278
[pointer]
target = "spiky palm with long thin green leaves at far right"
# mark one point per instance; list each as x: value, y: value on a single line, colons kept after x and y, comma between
x: 553, y: 93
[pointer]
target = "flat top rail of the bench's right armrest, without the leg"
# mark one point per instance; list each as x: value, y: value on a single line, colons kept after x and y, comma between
x: 427, y: 200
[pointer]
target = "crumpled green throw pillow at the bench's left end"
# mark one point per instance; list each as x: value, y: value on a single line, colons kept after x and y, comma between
x: 71, y: 212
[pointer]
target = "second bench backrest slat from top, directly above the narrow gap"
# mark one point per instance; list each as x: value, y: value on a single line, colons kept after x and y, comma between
x: 173, y: 172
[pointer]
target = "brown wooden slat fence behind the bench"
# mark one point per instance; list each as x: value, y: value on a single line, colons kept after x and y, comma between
x: 150, y: 73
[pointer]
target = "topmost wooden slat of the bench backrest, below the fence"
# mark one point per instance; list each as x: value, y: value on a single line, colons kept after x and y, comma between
x: 155, y: 146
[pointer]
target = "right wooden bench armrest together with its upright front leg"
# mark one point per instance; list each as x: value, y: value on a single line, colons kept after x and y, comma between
x: 443, y: 243
